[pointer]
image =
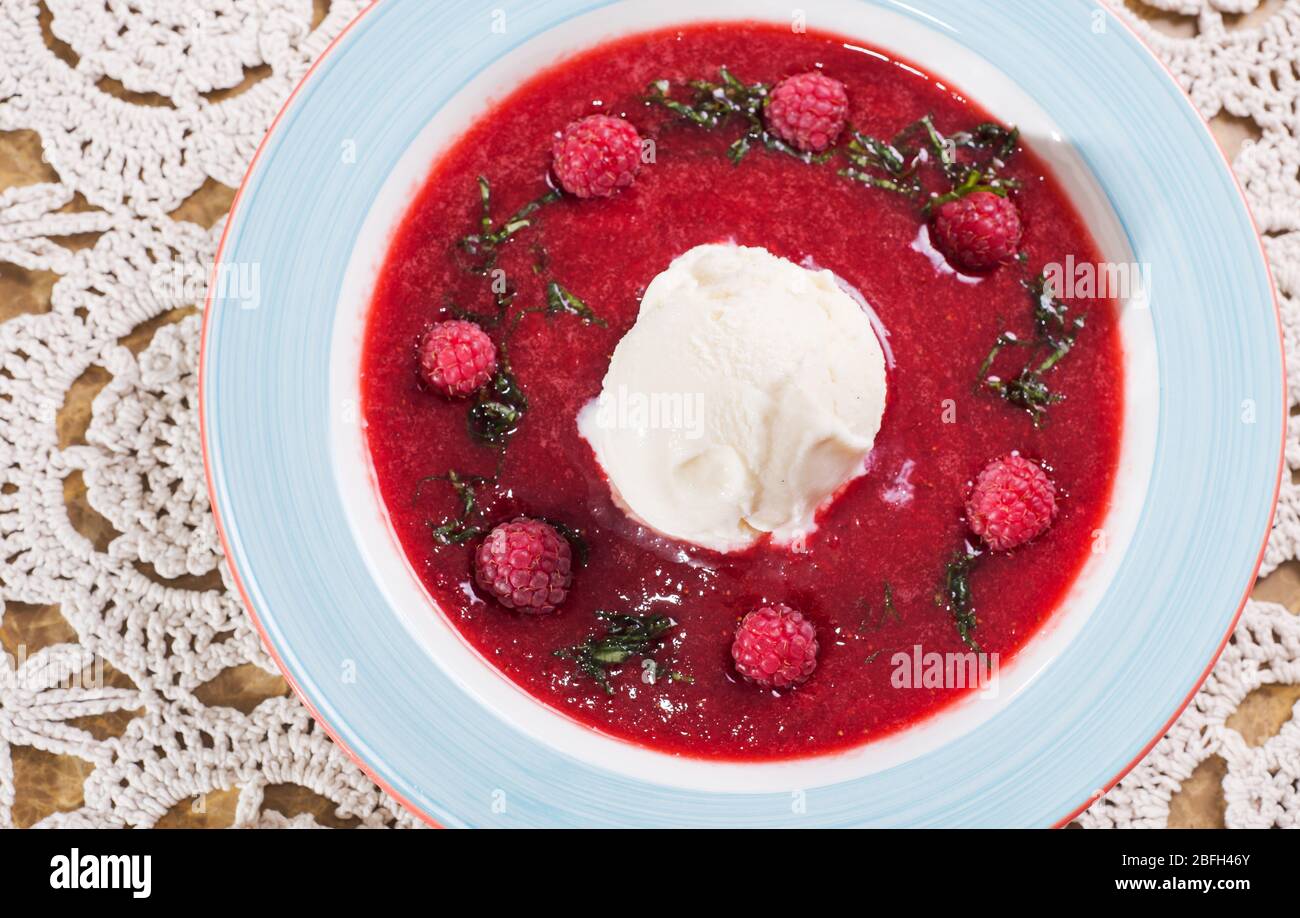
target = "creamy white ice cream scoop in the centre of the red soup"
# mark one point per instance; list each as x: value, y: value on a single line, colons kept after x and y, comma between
x: 748, y: 392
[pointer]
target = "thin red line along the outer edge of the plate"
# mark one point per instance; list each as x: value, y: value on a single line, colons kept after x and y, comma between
x: 370, y: 772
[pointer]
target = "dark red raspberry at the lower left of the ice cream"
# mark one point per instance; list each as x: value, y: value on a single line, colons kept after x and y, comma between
x: 526, y: 565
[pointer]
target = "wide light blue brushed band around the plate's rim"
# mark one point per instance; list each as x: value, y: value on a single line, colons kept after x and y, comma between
x: 1085, y: 718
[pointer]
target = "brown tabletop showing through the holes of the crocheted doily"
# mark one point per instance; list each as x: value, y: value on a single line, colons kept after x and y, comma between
x: 50, y: 783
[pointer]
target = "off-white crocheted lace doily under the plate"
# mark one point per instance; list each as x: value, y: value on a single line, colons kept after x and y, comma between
x: 137, y: 161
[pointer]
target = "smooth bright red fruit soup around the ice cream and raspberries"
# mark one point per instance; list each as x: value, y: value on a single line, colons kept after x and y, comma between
x: 891, y: 534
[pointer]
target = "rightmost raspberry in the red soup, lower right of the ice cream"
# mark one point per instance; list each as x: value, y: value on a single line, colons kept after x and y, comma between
x: 1013, y: 503
